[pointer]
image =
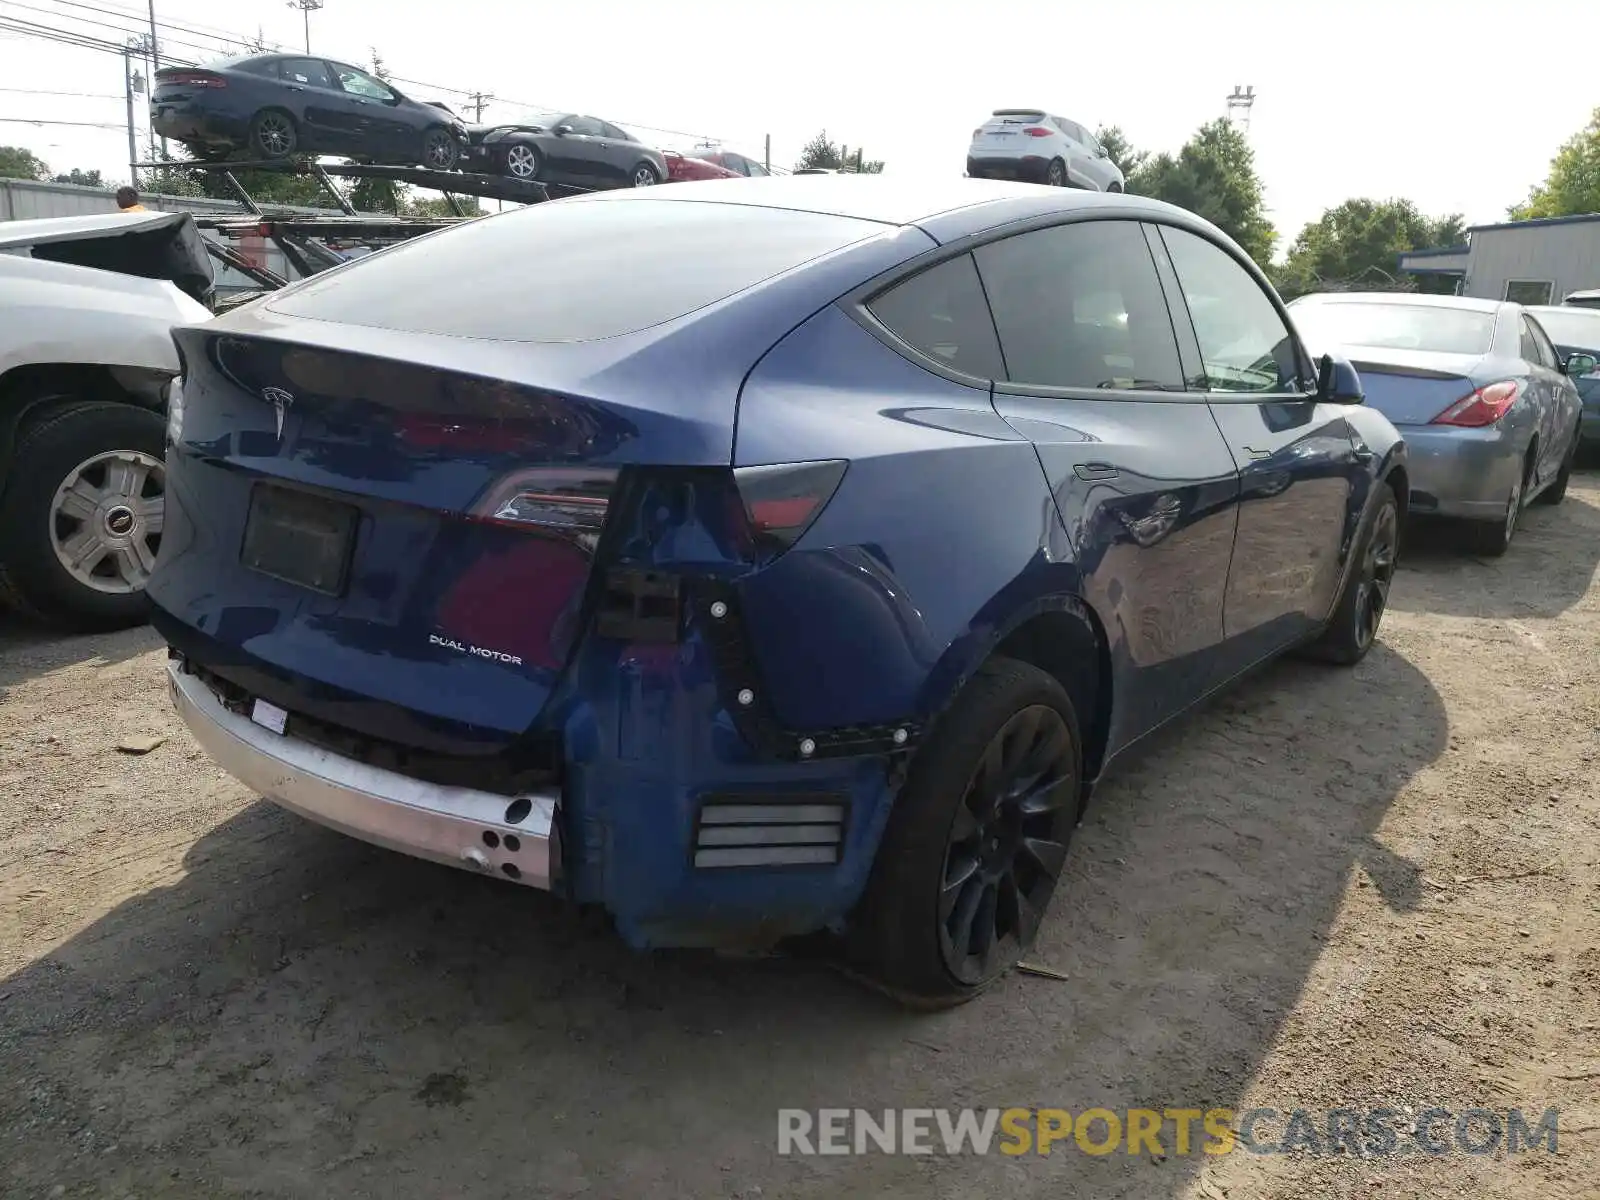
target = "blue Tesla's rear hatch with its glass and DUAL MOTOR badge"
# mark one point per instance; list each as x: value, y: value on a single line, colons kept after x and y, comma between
x: 391, y: 481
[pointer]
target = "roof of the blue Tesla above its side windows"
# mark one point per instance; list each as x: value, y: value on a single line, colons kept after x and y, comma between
x: 895, y: 201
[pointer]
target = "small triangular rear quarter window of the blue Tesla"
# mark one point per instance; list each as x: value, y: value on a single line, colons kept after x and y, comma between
x: 943, y: 314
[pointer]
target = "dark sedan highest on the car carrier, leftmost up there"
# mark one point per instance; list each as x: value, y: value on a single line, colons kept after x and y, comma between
x: 276, y: 106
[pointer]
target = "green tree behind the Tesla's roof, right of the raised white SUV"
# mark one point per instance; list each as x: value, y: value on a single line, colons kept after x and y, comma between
x: 1215, y: 177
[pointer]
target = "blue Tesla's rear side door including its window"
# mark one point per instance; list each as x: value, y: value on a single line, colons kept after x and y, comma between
x: 1145, y: 486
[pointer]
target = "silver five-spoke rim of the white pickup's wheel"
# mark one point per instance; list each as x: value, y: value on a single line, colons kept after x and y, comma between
x: 106, y: 521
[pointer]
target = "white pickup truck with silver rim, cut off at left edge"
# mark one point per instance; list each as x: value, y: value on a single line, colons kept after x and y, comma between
x: 87, y: 356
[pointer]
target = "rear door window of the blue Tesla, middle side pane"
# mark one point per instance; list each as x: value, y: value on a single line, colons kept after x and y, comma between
x: 1082, y: 308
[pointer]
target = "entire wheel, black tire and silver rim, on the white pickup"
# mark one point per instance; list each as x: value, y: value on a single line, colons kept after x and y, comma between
x: 114, y: 511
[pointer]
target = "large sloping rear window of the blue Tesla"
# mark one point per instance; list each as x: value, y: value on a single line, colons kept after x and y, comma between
x: 574, y: 271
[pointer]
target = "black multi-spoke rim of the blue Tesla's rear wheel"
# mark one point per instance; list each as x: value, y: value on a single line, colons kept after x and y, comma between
x: 1007, y: 844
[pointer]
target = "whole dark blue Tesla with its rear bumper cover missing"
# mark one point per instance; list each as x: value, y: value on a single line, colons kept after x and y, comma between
x: 761, y: 558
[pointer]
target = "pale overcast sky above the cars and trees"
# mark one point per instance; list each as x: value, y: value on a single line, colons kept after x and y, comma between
x: 1457, y: 106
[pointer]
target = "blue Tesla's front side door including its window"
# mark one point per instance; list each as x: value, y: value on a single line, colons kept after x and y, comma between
x: 1302, y: 482
